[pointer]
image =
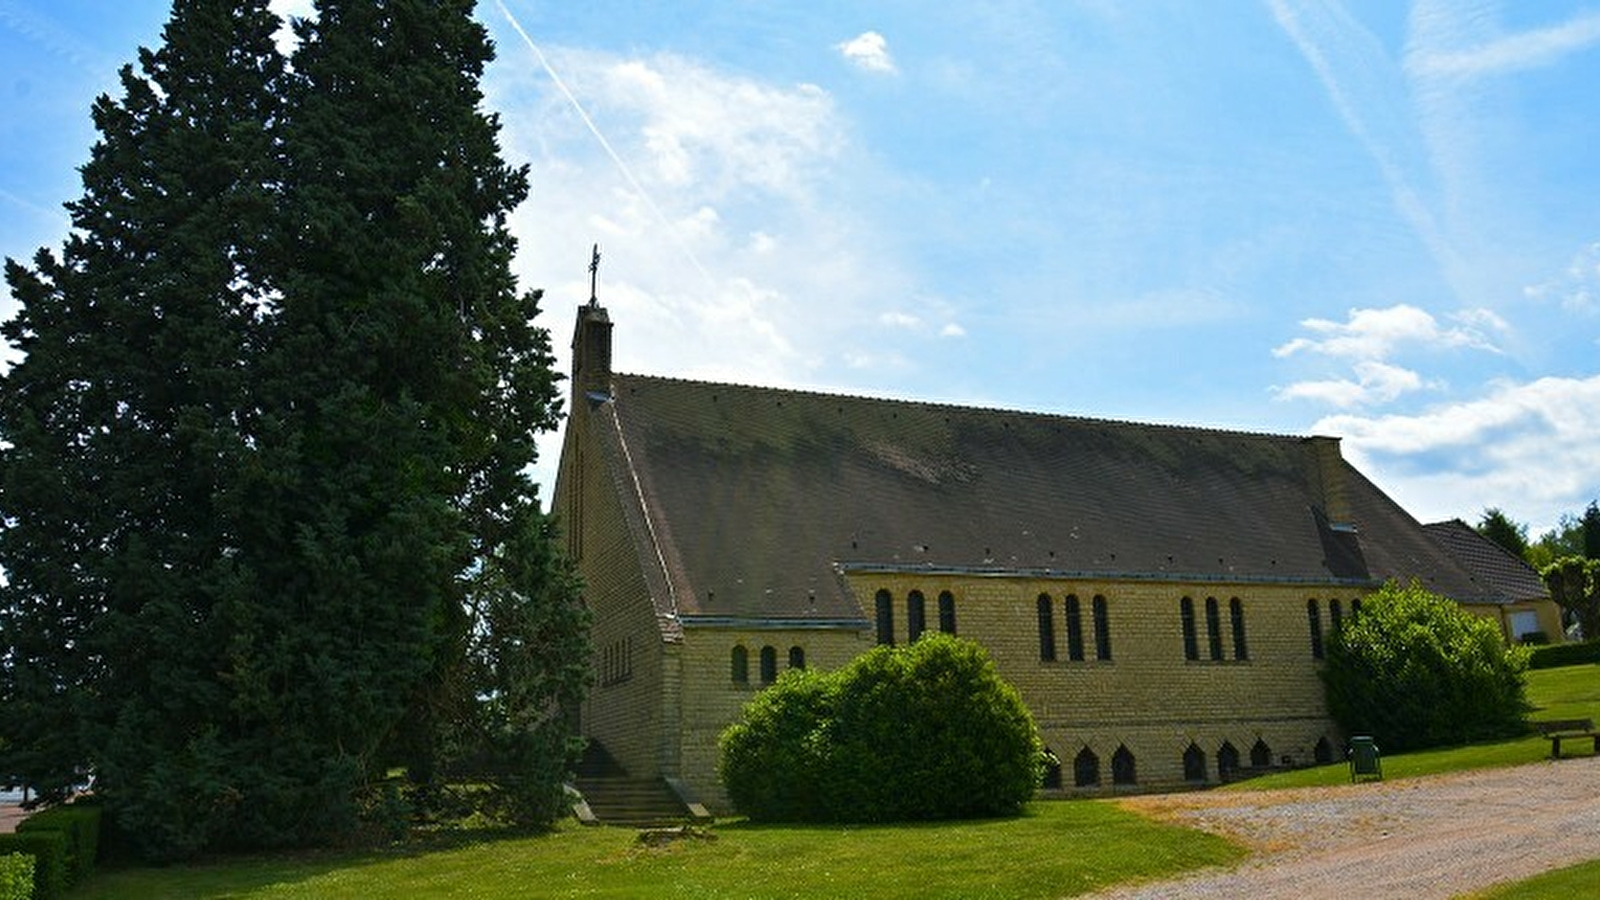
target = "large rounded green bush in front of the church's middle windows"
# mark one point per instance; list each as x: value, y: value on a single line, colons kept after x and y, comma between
x: 918, y: 733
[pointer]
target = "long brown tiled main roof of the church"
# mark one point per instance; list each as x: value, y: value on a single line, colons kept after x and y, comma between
x: 758, y: 499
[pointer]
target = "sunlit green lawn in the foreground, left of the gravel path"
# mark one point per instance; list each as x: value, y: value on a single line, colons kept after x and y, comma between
x: 1057, y: 850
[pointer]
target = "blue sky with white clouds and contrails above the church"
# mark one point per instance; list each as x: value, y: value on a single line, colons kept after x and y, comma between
x: 1375, y: 220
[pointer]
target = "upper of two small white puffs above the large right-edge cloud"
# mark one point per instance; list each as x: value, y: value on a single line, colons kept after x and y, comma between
x: 1378, y: 334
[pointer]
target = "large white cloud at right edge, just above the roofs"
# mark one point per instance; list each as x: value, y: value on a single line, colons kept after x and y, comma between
x: 1526, y: 448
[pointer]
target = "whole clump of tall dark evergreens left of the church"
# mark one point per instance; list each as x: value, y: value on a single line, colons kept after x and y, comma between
x: 270, y: 526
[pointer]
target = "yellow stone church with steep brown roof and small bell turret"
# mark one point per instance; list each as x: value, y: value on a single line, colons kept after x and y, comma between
x: 1161, y: 597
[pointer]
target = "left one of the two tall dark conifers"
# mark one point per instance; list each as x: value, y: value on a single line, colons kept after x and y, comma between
x: 124, y: 428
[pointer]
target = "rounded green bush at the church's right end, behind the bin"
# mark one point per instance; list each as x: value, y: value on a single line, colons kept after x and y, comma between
x: 1415, y: 670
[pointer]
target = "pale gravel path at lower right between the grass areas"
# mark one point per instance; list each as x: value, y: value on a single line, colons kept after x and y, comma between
x: 1420, y: 838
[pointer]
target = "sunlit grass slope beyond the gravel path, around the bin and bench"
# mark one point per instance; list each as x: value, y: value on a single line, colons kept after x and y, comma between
x: 1570, y: 693
